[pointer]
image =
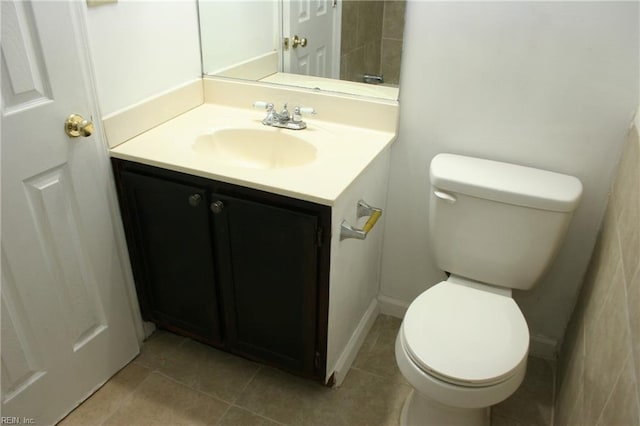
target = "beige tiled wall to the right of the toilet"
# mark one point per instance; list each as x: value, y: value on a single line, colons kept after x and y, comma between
x: 599, y: 368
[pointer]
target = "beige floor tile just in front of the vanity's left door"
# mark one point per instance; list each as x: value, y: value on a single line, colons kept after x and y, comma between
x: 209, y: 370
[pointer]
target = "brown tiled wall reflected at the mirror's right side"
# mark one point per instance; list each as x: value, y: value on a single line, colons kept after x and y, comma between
x: 371, y: 39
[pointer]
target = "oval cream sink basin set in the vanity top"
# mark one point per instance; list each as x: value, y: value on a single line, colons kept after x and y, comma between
x: 267, y: 148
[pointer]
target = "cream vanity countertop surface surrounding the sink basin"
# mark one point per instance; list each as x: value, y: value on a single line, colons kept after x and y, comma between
x: 343, y: 152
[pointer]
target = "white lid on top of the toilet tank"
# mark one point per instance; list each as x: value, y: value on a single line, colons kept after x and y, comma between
x: 506, y: 183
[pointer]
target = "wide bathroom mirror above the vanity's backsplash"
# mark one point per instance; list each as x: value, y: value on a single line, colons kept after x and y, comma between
x: 333, y: 45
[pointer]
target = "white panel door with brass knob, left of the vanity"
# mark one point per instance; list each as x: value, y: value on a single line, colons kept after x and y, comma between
x: 66, y: 321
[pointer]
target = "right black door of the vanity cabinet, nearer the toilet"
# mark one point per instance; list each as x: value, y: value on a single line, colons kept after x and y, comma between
x: 268, y: 263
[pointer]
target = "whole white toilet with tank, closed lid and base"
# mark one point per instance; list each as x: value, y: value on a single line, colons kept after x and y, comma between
x: 463, y: 343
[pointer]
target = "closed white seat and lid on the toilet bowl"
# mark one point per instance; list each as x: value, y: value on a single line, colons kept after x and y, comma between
x: 466, y: 334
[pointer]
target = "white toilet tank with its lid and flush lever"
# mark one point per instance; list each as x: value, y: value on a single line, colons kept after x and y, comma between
x: 498, y: 223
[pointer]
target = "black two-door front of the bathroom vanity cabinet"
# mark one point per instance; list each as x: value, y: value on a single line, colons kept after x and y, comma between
x: 237, y: 268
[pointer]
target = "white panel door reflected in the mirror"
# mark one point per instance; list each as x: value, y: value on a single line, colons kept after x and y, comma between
x: 318, y: 23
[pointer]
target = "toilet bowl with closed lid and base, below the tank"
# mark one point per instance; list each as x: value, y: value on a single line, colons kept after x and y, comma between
x: 477, y: 360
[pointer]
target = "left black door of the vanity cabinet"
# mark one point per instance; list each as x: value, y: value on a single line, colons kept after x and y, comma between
x: 172, y: 254
